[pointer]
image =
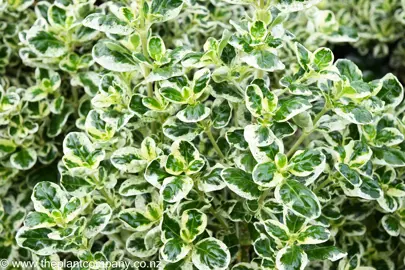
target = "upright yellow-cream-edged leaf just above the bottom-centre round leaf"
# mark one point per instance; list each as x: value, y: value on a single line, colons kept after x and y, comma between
x: 193, y: 223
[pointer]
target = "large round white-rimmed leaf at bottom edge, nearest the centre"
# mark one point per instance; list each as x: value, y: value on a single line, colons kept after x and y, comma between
x: 211, y: 253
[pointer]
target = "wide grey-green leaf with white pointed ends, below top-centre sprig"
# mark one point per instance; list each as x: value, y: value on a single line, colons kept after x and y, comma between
x: 263, y: 60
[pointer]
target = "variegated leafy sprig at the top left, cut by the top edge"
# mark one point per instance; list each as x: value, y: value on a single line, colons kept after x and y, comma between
x: 51, y: 40
